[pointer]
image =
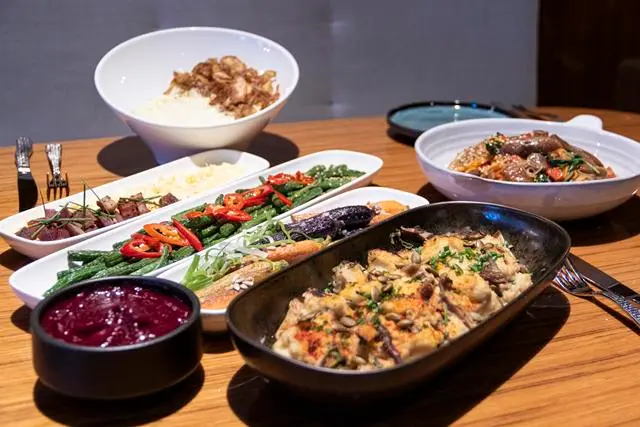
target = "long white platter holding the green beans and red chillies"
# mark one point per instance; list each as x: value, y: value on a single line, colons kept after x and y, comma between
x: 30, y: 282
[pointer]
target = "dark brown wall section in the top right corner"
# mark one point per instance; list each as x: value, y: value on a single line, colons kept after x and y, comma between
x: 589, y: 53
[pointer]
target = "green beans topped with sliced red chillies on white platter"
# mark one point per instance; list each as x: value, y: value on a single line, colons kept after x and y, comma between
x: 157, y: 245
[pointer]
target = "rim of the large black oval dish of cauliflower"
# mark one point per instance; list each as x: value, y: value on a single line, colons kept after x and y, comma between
x: 408, y: 364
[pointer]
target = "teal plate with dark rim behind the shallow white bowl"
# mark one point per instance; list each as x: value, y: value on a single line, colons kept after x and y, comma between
x: 413, y: 119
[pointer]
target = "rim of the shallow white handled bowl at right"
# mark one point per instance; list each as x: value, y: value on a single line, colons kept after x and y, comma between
x: 423, y: 137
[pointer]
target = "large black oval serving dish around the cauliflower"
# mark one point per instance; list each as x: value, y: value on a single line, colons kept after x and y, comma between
x: 254, y: 316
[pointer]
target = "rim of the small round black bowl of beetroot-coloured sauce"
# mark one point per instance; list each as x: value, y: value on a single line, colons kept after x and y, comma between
x: 143, y: 281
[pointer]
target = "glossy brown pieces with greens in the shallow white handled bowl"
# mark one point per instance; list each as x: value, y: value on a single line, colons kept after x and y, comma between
x: 530, y: 157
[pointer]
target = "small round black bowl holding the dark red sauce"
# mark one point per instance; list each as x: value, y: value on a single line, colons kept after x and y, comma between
x: 118, y: 372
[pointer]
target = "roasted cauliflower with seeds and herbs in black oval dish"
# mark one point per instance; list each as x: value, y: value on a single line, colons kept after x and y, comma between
x: 405, y: 302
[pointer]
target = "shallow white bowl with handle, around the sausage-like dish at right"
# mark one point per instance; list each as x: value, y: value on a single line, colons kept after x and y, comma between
x: 437, y: 147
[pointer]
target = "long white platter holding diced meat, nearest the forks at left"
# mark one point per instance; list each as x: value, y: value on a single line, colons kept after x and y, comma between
x: 37, y: 249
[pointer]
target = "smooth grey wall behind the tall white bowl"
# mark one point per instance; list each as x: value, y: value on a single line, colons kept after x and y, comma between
x: 357, y: 57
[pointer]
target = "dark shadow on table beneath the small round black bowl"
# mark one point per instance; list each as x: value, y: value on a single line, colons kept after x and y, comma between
x: 130, y: 412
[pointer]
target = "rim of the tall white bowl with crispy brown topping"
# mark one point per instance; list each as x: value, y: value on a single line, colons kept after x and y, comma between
x: 281, y: 99
